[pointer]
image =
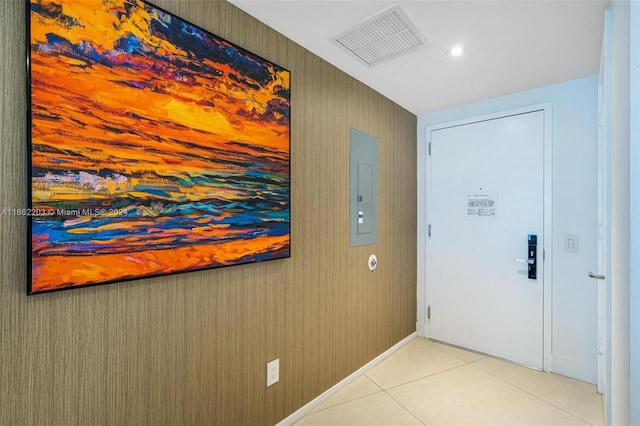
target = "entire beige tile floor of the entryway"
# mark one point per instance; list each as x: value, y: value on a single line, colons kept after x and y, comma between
x: 428, y: 383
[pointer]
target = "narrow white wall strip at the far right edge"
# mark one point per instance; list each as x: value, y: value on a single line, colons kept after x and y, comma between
x: 623, y: 379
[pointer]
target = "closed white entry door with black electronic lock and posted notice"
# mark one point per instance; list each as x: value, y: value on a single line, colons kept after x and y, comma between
x: 485, y: 197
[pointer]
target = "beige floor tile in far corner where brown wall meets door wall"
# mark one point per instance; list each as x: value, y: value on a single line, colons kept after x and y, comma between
x: 418, y: 359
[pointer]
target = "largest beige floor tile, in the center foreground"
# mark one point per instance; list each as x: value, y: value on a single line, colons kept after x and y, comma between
x: 469, y: 396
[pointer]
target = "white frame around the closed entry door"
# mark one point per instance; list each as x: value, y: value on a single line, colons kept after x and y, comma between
x: 424, y: 328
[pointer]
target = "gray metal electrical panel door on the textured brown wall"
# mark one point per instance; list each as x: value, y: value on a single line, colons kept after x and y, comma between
x: 363, y: 189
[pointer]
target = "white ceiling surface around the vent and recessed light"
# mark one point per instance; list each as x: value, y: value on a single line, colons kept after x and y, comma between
x: 511, y: 45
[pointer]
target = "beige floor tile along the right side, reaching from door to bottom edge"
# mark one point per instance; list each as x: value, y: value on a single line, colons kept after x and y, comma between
x: 579, y: 398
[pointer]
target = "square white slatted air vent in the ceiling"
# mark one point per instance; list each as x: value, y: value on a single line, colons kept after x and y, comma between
x: 383, y: 37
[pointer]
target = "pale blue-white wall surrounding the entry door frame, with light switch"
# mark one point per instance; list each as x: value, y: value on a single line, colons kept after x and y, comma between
x: 574, y: 212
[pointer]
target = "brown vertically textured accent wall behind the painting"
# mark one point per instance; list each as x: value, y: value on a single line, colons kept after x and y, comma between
x: 192, y: 349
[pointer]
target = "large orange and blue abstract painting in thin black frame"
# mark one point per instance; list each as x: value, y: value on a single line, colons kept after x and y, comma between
x: 155, y: 147
